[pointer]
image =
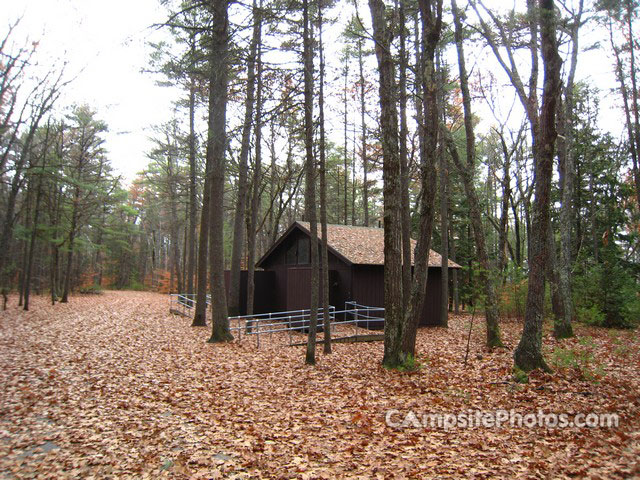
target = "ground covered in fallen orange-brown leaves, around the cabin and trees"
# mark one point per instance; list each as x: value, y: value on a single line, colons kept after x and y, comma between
x: 113, y: 386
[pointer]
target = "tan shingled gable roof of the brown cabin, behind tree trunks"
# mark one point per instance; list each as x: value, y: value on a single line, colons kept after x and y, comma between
x: 361, y: 245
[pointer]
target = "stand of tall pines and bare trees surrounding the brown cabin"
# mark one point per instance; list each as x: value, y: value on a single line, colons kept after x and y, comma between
x: 467, y: 127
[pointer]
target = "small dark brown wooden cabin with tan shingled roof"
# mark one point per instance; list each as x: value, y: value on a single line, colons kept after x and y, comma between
x: 356, y: 269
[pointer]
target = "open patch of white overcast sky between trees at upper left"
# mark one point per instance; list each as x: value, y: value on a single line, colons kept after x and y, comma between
x: 105, y: 45
